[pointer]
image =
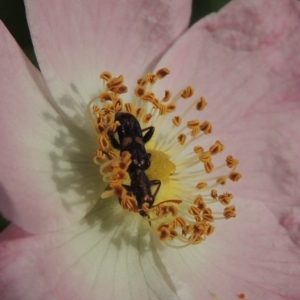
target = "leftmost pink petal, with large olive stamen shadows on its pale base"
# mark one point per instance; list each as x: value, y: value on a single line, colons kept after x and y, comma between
x: 48, y: 178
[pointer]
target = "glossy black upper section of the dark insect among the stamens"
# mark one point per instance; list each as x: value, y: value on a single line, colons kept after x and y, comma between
x: 131, y: 139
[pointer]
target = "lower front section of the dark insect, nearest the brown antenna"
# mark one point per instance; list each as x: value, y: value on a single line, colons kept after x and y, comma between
x: 140, y: 187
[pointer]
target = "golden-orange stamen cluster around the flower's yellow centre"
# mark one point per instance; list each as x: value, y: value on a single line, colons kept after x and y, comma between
x: 187, y: 174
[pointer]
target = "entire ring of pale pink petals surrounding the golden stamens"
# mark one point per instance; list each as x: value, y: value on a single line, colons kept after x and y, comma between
x: 244, y: 60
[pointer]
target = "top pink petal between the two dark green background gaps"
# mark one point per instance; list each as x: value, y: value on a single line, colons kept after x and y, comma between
x: 75, y: 42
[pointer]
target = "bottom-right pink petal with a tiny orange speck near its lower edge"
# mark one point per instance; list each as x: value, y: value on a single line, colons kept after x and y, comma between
x: 250, y: 255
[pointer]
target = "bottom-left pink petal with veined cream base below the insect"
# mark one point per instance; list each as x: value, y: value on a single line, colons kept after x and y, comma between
x: 105, y: 256
